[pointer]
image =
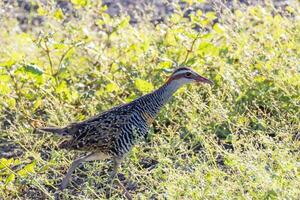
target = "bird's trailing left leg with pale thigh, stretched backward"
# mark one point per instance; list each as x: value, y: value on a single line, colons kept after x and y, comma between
x: 89, y: 157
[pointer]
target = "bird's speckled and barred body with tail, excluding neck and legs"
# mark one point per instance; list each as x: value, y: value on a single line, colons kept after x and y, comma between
x: 114, y: 131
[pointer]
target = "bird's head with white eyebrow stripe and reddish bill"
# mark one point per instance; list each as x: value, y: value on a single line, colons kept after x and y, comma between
x: 184, y: 75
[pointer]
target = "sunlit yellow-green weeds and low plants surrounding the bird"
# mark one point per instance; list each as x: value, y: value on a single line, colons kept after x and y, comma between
x: 236, y: 140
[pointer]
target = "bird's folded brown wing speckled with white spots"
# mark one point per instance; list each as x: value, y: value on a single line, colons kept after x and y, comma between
x: 98, y: 132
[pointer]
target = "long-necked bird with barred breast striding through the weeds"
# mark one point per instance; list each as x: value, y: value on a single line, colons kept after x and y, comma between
x: 113, y: 133
